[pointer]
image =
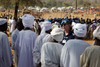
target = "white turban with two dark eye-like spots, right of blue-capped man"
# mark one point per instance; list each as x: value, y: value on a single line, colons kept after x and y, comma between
x: 80, y: 30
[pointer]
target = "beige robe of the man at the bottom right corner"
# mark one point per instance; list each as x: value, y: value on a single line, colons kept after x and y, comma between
x: 91, y: 57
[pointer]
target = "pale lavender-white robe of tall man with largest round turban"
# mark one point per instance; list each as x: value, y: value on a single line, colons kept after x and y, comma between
x: 24, y: 45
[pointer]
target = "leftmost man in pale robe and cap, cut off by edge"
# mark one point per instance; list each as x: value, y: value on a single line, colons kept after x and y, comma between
x: 5, y: 50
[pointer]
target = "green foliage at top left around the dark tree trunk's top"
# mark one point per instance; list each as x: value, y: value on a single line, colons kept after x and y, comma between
x: 22, y: 3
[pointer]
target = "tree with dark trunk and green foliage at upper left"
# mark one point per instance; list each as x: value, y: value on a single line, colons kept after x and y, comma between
x: 17, y: 3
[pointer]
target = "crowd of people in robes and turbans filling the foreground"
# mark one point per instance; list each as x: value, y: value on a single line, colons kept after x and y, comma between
x: 57, y: 42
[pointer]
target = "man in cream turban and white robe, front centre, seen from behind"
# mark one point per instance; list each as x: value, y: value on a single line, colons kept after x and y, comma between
x: 51, y: 51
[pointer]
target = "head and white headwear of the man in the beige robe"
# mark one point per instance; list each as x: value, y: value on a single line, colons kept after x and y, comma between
x: 96, y: 35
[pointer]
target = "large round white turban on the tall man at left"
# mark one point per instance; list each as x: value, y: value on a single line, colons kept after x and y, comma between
x: 28, y: 20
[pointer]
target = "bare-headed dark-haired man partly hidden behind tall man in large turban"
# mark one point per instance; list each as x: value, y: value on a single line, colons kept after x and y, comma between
x: 14, y: 35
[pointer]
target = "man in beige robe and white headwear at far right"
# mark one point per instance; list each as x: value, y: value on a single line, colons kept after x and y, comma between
x: 91, y: 56
